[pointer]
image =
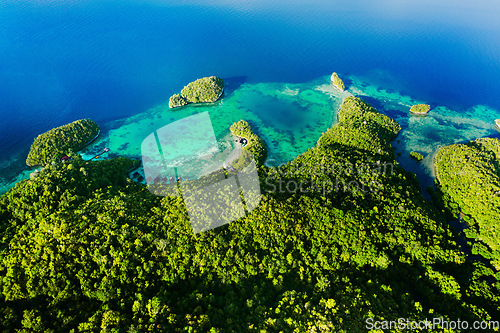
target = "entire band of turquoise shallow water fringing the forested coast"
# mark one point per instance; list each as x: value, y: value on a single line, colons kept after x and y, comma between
x: 291, y: 117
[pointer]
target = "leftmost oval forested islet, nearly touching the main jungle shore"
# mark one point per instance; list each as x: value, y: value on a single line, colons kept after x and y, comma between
x: 60, y: 141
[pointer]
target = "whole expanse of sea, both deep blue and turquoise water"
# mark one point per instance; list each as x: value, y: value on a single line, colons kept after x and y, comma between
x: 117, y: 62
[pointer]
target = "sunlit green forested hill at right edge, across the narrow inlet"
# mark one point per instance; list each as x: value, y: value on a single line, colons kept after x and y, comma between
x: 469, y: 178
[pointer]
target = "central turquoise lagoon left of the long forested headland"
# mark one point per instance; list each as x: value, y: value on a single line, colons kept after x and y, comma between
x: 289, y: 117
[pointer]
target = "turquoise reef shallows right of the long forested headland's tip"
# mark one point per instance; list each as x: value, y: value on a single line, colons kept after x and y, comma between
x: 425, y: 134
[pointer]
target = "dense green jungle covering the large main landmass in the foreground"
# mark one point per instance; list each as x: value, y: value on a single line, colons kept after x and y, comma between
x: 85, y: 249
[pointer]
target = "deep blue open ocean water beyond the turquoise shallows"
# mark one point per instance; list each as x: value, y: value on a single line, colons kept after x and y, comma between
x: 107, y: 60
